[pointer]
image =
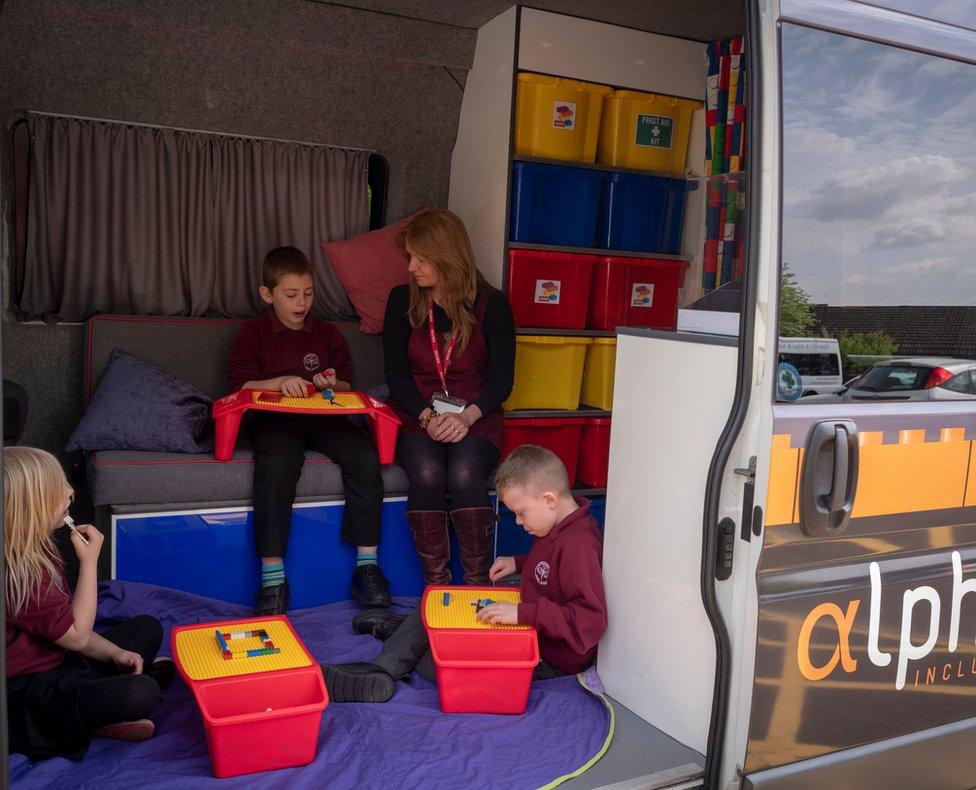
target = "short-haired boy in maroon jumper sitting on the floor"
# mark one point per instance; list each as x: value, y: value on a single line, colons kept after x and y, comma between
x: 562, y: 588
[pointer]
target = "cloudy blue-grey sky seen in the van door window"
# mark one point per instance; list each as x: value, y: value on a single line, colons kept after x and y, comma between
x: 879, y: 156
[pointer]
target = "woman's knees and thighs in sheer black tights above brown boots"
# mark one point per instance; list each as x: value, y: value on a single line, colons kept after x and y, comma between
x: 435, y: 469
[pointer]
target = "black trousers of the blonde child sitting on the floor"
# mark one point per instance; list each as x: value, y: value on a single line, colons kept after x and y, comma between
x: 51, y: 713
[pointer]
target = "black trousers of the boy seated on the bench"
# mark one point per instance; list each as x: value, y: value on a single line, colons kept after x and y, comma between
x: 280, y: 441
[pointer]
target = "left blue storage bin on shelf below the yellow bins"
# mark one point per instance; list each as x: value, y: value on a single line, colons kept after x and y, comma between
x: 553, y: 204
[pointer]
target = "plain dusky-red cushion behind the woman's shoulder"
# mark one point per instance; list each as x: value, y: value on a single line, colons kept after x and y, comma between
x: 369, y: 267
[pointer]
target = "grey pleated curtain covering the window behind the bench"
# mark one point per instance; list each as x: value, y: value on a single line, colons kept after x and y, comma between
x: 130, y: 219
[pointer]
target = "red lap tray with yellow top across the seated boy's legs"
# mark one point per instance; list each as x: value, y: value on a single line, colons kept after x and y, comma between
x: 228, y: 411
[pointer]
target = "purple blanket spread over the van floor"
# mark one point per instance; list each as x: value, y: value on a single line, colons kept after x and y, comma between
x: 404, y: 743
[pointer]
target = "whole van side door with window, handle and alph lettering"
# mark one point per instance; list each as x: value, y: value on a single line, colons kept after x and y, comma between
x: 865, y: 662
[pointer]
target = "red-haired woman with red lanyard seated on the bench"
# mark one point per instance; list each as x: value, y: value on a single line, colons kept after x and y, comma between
x: 449, y: 343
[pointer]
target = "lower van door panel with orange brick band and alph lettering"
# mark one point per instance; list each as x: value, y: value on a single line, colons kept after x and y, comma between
x: 846, y: 627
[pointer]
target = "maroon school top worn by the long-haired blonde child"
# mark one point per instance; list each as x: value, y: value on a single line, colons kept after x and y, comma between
x: 31, y: 633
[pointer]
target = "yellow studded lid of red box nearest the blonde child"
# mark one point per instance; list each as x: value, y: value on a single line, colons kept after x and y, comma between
x: 202, y: 657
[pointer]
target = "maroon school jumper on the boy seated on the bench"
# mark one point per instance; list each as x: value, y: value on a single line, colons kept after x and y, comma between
x: 265, y: 349
